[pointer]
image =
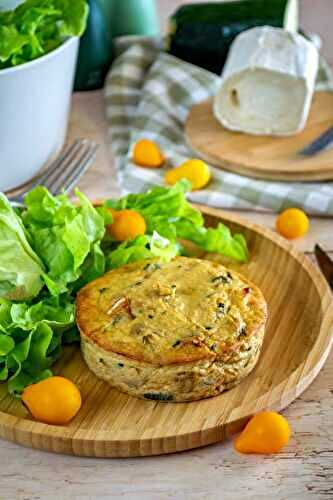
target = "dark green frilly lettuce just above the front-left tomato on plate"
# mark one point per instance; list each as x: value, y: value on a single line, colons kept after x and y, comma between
x: 33, y: 338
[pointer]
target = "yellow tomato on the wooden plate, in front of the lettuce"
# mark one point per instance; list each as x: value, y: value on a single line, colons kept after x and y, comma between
x: 54, y: 401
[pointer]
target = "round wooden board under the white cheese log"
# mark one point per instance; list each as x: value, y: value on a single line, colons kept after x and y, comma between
x: 264, y: 157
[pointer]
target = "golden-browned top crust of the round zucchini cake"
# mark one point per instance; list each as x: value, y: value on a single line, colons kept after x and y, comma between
x: 183, y: 311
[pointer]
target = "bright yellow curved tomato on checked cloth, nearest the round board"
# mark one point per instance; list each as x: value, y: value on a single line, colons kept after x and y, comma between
x: 196, y: 171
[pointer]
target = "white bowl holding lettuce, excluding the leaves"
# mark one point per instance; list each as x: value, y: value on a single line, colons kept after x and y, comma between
x: 34, y: 107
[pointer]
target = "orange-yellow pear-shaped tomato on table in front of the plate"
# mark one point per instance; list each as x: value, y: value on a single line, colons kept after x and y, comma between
x: 267, y: 432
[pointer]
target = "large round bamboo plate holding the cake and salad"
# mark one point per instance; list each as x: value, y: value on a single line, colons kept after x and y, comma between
x: 297, y: 342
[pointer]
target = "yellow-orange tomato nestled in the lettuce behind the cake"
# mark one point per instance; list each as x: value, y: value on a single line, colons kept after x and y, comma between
x: 127, y: 225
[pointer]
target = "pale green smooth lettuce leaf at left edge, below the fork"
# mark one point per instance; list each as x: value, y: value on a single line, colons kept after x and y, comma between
x: 20, y: 267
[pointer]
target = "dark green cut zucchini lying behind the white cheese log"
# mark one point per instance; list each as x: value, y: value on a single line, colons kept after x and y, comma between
x: 202, y: 33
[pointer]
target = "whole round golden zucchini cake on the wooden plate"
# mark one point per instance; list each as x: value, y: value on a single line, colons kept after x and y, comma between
x: 177, y: 331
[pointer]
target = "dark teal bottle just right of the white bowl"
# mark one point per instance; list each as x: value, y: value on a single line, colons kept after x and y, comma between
x: 95, y: 52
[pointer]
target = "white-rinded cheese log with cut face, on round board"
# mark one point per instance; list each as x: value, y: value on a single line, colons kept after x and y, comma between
x: 267, y: 83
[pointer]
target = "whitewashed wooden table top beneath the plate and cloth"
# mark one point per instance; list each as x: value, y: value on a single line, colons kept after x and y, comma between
x: 304, y: 470
